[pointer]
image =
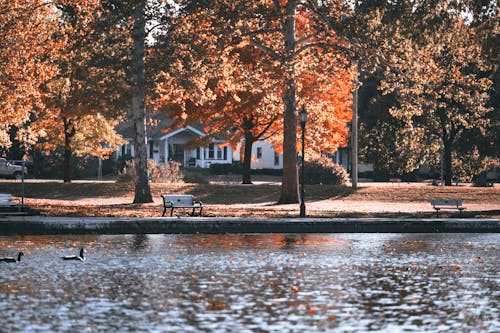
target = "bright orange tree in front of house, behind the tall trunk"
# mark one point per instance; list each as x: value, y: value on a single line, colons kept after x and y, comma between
x: 236, y: 86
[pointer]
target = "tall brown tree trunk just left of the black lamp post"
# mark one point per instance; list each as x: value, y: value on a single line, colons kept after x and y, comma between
x: 289, y: 187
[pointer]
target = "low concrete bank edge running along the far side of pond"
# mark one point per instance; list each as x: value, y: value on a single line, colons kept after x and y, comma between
x: 46, y: 225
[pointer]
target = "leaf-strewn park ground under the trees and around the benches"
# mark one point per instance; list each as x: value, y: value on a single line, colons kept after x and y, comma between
x: 224, y: 196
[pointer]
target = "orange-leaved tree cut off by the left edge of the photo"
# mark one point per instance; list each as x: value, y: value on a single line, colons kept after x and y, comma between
x: 26, y: 50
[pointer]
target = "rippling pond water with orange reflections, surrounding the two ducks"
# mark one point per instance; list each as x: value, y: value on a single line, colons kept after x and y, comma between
x: 252, y: 283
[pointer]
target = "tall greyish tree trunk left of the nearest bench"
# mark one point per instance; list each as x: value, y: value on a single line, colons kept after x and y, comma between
x: 142, y: 188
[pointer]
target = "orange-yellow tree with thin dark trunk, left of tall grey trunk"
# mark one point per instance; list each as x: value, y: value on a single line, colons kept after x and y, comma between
x: 82, y: 100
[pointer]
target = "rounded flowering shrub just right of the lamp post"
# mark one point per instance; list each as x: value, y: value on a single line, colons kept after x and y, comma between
x: 322, y: 170
